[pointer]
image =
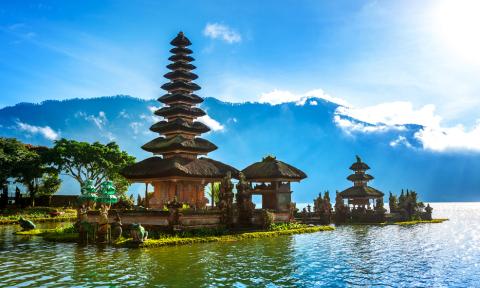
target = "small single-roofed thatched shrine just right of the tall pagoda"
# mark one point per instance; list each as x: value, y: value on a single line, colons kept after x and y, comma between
x: 271, y: 178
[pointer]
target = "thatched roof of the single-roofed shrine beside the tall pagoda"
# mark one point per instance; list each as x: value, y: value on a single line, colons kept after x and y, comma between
x: 271, y: 169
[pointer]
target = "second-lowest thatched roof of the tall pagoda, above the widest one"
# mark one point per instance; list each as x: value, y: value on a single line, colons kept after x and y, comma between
x: 180, y: 144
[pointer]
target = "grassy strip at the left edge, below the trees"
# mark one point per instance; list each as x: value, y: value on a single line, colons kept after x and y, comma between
x: 36, y: 215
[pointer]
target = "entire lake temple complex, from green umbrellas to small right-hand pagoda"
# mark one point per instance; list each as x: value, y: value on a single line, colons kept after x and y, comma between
x: 178, y: 172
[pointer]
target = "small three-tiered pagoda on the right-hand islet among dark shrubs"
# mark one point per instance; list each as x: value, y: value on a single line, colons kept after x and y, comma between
x: 360, y: 194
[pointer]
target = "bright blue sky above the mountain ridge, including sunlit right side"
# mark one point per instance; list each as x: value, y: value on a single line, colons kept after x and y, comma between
x: 391, y: 62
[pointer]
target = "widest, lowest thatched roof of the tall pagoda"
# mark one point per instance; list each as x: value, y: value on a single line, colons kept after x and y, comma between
x: 157, y: 168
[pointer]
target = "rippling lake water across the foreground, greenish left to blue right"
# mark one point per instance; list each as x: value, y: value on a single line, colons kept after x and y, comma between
x: 428, y: 255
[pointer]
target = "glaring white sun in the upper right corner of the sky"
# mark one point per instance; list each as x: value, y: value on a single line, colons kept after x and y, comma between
x: 457, y: 23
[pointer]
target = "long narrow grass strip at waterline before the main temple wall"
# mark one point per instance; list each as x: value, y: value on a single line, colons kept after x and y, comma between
x: 176, y: 240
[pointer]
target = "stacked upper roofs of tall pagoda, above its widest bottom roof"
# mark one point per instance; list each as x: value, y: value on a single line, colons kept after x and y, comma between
x: 179, y: 130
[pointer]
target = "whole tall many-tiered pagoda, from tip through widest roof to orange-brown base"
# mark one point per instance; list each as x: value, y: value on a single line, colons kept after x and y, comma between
x: 175, y: 169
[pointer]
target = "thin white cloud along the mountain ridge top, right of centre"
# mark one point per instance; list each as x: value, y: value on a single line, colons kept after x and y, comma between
x: 283, y: 96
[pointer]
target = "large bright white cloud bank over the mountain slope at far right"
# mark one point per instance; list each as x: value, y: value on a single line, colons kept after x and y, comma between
x: 394, y: 115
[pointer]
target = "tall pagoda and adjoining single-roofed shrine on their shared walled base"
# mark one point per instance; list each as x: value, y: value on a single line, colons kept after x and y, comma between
x: 179, y: 170
